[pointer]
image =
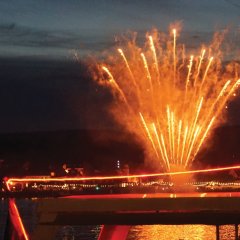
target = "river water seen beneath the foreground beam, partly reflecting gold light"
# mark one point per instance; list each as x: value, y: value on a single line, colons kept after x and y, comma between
x: 143, y: 232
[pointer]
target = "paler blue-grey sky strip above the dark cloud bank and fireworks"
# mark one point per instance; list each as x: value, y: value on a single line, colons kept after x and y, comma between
x: 53, y: 28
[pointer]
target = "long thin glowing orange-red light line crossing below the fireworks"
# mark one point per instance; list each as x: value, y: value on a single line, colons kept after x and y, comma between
x: 12, y: 181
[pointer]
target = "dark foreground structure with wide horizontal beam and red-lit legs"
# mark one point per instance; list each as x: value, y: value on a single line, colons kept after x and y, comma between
x: 117, y: 212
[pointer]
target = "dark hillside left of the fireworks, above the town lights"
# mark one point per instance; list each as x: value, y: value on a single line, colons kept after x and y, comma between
x: 41, y: 152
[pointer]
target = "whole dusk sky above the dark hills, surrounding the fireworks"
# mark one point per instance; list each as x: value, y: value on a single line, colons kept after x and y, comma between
x: 43, y: 88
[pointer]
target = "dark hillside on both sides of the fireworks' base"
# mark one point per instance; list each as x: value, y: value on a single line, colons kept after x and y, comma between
x: 42, y: 152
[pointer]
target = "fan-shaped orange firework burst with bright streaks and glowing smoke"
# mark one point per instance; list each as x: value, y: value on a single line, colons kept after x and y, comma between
x: 170, y: 101
